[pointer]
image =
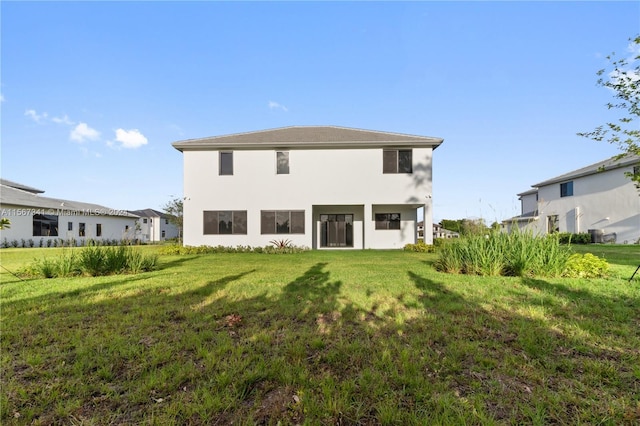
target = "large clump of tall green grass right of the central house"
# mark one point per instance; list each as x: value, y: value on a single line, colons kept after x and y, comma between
x: 515, y: 254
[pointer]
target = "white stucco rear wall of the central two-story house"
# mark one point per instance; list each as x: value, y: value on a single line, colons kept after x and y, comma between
x: 317, y: 178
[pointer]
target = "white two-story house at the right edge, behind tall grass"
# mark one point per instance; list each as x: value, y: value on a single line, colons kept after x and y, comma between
x: 599, y: 199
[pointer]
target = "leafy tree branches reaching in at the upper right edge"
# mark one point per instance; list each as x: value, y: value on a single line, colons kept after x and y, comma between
x: 623, y: 79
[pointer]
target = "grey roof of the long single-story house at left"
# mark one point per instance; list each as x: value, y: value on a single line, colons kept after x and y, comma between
x: 11, y: 195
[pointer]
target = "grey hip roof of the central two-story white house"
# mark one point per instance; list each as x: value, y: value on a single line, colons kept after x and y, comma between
x: 307, y: 137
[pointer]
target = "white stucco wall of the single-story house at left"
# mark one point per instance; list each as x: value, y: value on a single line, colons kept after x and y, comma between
x: 21, y: 217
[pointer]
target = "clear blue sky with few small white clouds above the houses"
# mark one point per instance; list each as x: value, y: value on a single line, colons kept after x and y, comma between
x: 94, y: 93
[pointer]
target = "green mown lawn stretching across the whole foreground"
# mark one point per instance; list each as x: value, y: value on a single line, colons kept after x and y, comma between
x: 320, y: 337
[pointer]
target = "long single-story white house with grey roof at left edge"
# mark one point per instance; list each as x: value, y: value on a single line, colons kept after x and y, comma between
x: 34, y: 217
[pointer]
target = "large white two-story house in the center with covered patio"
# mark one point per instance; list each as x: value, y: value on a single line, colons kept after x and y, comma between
x: 316, y: 186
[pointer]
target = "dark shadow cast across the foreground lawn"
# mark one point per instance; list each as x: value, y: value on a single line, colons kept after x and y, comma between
x: 217, y: 357
